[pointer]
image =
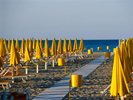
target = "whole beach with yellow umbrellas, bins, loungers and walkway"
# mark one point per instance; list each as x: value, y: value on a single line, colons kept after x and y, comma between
x: 31, y: 69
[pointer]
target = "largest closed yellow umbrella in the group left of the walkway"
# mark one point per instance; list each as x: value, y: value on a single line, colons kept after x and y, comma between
x: 14, y: 55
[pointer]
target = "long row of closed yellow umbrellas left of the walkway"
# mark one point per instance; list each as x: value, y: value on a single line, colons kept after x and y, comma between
x: 33, y: 49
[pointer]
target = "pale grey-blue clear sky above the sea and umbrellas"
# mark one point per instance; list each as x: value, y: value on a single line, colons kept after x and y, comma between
x: 87, y: 19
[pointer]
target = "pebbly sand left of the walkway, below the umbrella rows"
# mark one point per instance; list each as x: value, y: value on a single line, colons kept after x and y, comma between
x: 37, y: 83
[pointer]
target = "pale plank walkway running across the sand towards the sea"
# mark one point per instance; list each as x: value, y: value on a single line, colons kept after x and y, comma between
x: 61, y: 88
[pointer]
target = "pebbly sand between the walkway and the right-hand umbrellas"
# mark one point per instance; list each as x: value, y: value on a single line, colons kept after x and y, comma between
x: 94, y: 84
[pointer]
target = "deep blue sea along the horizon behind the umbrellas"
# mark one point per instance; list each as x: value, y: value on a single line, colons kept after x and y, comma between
x: 88, y: 44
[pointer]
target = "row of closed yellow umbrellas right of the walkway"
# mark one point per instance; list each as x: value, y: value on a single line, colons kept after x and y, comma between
x: 122, y: 68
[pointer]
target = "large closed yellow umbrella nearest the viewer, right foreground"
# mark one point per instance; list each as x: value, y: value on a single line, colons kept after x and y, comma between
x: 119, y: 83
